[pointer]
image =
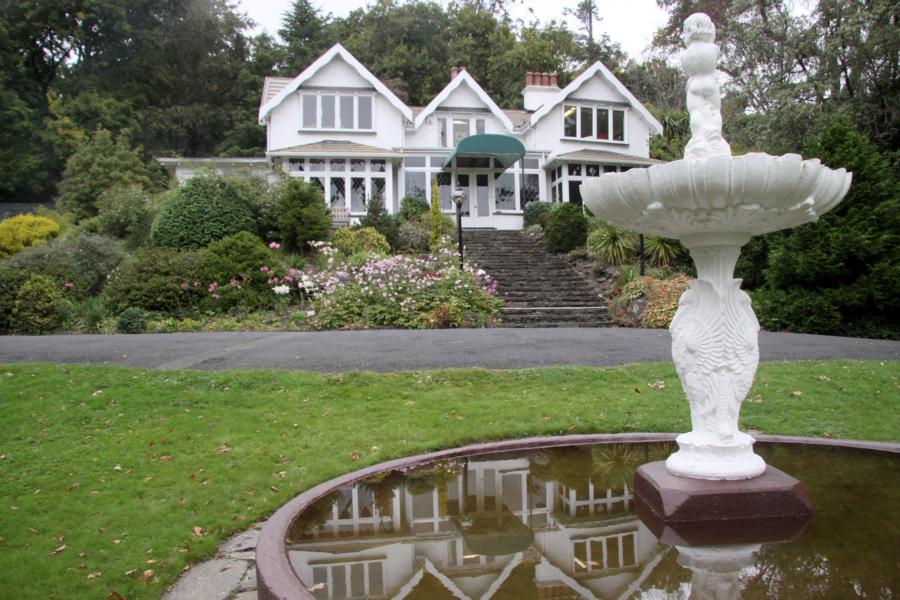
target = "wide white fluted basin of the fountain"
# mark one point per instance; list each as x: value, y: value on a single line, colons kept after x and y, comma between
x: 747, y: 195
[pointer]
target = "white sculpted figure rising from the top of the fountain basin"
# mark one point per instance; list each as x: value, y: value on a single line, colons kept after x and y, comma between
x: 704, y: 101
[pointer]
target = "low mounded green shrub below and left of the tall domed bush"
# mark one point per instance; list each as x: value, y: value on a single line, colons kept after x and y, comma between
x: 158, y: 279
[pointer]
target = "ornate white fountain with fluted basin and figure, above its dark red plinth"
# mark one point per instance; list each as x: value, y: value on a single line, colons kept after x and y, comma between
x: 714, y: 202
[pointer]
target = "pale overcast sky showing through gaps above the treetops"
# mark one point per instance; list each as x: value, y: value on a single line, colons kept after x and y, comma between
x: 631, y: 23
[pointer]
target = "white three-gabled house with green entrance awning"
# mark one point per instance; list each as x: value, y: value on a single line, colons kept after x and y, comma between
x: 339, y: 127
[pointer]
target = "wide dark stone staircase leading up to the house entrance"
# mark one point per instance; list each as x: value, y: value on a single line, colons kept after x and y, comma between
x: 539, y: 289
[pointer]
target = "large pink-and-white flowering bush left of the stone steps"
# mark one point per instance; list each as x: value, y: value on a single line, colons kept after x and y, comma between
x: 400, y: 291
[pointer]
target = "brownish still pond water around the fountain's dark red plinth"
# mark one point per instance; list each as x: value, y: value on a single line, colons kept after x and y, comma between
x: 560, y: 523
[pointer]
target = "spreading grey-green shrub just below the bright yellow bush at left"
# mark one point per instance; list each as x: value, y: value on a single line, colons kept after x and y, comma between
x: 80, y: 263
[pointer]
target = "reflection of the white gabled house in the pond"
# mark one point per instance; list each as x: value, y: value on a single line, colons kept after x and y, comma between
x: 470, y: 529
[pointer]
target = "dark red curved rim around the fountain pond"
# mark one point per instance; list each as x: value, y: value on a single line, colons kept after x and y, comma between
x: 276, y: 578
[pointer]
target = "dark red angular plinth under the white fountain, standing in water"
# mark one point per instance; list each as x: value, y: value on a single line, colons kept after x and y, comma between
x: 672, y: 499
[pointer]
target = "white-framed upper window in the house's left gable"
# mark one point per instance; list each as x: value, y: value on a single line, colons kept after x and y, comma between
x: 336, y: 111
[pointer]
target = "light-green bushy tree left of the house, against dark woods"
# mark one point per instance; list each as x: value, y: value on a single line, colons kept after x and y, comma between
x: 97, y: 165
